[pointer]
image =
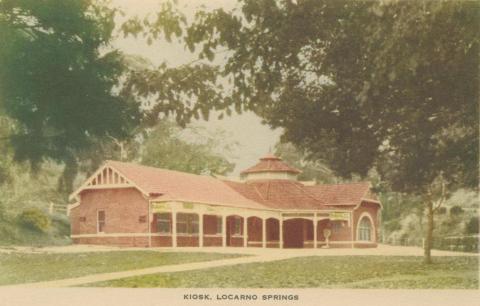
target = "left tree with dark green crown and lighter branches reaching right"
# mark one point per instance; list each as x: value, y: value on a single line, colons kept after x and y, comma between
x: 71, y: 94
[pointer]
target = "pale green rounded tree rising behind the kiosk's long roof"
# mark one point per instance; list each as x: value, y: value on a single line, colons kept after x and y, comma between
x: 166, y: 147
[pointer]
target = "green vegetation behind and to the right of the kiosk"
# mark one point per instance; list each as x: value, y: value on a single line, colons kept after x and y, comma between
x: 403, y: 216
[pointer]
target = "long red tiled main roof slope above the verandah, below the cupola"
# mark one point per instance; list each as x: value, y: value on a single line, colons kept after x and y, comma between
x: 261, y: 194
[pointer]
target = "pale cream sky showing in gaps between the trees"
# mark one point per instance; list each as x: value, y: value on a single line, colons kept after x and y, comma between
x: 254, y: 139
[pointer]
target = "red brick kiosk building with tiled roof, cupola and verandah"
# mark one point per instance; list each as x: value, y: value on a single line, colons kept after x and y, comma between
x: 132, y: 205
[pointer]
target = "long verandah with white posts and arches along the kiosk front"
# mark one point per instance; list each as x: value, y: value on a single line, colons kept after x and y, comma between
x: 189, y: 224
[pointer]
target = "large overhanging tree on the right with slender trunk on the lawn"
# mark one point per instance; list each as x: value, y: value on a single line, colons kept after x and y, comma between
x: 391, y: 84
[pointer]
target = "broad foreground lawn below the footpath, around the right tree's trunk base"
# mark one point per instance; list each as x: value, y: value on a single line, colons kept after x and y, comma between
x: 323, y: 272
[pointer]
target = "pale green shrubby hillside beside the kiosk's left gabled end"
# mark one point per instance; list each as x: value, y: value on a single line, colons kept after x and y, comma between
x: 25, y: 201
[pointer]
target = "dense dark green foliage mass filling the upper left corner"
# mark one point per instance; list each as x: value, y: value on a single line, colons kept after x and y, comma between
x: 57, y: 81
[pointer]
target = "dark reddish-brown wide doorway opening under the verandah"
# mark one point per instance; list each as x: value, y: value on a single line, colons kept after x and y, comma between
x: 296, y: 232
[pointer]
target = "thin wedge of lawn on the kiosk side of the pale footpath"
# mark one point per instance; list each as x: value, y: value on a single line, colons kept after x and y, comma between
x: 25, y: 268
